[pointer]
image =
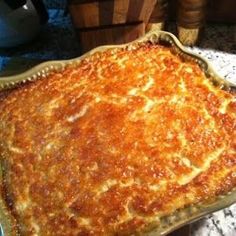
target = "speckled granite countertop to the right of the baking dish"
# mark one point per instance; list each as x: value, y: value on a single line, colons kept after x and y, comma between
x: 219, y: 47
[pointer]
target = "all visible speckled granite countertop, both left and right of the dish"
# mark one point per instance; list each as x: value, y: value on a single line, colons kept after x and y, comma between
x: 57, y: 41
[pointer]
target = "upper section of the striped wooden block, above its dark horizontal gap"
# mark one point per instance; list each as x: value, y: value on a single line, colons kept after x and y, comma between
x: 109, y: 12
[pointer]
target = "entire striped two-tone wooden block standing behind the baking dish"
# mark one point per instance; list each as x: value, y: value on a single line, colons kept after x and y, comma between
x: 100, y: 22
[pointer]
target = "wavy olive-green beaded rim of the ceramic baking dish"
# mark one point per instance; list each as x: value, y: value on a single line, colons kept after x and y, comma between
x: 180, y: 217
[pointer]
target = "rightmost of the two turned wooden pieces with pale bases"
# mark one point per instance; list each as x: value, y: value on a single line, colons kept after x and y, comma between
x: 190, y: 19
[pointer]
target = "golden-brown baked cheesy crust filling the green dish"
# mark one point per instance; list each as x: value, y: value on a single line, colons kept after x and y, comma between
x: 112, y: 145
